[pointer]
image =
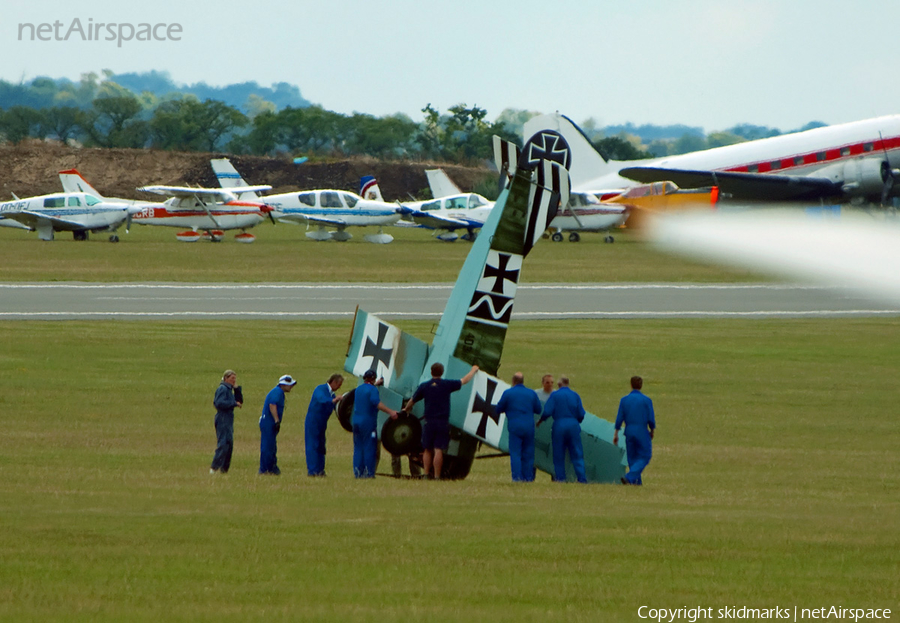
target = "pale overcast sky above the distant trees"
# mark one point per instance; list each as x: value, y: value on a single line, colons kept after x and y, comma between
x: 702, y: 63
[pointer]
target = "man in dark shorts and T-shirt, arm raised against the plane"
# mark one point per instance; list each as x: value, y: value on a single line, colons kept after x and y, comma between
x: 436, y: 436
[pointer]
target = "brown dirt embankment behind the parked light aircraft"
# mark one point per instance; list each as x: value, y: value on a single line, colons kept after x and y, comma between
x: 31, y: 168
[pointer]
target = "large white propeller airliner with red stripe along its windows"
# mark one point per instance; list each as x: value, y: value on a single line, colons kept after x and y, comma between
x: 852, y: 161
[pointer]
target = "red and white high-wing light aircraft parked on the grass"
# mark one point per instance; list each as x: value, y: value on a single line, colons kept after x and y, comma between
x: 210, y: 210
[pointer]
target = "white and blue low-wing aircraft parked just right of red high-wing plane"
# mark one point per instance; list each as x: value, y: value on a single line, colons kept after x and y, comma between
x: 322, y: 208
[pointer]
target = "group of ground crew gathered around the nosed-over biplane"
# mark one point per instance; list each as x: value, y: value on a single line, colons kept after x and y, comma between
x: 519, y: 403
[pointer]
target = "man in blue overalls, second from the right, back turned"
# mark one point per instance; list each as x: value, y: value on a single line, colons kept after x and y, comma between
x: 565, y: 407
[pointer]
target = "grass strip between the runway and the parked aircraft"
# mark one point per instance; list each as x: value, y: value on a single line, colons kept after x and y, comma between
x: 283, y: 254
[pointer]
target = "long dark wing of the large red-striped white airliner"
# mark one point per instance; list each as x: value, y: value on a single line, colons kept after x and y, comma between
x: 742, y: 186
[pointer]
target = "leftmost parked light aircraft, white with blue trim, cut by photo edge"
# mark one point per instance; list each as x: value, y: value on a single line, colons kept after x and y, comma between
x: 77, y: 212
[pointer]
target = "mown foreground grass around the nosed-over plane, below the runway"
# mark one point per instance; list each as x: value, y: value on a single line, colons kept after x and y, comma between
x: 774, y: 480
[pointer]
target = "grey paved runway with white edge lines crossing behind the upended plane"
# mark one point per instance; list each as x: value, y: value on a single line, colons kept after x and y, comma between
x: 69, y: 301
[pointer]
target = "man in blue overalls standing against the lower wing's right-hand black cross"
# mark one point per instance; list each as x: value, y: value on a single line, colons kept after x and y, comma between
x: 520, y: 404
